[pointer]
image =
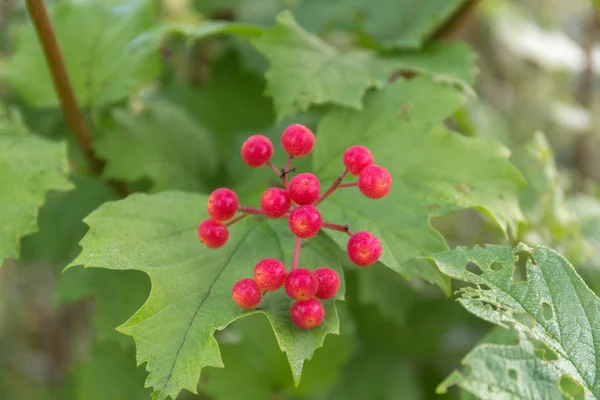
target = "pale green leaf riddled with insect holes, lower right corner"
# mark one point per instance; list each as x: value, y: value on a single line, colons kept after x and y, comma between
x: 538, y: 293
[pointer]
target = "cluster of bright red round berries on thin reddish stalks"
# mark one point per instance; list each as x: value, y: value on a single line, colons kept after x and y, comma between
x: 297, y: 201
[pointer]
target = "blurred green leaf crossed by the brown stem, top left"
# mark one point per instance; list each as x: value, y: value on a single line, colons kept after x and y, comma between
x: 96, y: 40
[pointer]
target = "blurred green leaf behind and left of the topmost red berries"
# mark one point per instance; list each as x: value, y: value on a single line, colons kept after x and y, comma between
x: 163, y: 143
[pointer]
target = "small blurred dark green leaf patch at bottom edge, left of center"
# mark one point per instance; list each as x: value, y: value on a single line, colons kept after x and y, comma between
x: 109, y: 373
